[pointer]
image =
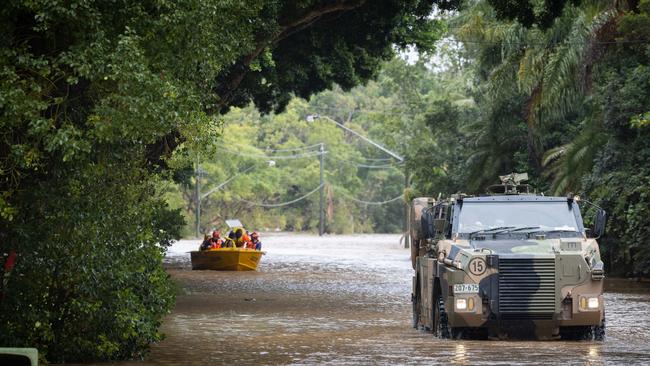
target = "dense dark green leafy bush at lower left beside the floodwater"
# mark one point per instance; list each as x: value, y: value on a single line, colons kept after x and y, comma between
x: 88, y: 283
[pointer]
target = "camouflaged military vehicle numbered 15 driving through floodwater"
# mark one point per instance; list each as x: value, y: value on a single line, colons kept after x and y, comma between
x: 510, y: 264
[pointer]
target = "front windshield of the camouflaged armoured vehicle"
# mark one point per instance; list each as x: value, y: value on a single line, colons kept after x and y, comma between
x: 513, y: 216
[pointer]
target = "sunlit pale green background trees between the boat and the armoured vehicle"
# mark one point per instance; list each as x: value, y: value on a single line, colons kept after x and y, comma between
x: 423, y: 115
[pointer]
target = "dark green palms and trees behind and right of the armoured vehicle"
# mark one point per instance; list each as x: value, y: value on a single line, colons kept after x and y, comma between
x: 577, y: 88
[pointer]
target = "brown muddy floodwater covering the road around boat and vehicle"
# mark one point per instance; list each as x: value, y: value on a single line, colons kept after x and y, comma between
x: 345, y: 300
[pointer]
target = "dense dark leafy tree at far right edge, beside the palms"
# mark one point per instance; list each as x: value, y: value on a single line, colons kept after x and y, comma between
x: 619, y: 179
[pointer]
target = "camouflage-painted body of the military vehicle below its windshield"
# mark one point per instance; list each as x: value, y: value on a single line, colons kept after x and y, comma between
x: 542, y: 292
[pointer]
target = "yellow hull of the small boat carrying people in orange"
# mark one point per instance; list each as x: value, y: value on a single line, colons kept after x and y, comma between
x: 227, y: 259
